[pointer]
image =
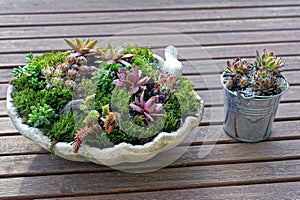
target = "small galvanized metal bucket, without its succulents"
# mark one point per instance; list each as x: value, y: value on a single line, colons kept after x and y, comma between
x: 250, y: 119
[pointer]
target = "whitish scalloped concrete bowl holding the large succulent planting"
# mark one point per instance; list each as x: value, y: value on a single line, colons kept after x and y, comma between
x: 118, y: 154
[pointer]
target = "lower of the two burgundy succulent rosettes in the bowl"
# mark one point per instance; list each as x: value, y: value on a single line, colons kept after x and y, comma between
x: 147, y: 108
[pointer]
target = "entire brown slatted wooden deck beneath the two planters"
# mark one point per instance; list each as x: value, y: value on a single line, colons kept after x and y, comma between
x: 225, y: 29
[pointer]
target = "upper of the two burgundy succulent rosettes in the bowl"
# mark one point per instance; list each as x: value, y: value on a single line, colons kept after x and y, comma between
x: 132, y: 80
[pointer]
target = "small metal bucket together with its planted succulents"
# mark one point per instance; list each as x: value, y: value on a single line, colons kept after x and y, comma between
x: 252, y: 92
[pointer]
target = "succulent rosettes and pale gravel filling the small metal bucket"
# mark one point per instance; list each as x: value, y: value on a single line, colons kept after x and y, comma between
x: 260, y: 78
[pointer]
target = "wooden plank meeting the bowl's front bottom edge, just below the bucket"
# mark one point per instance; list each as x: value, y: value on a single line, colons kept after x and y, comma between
x: 43, y: 164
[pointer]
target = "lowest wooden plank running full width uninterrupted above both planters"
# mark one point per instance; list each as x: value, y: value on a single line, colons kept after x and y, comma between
x: 151, y: 28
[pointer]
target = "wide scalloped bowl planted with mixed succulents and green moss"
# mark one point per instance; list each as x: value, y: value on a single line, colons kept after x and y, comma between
x: 104, y: 105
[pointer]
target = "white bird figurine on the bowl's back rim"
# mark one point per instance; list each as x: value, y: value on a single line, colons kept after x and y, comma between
x: 171, y: 64
